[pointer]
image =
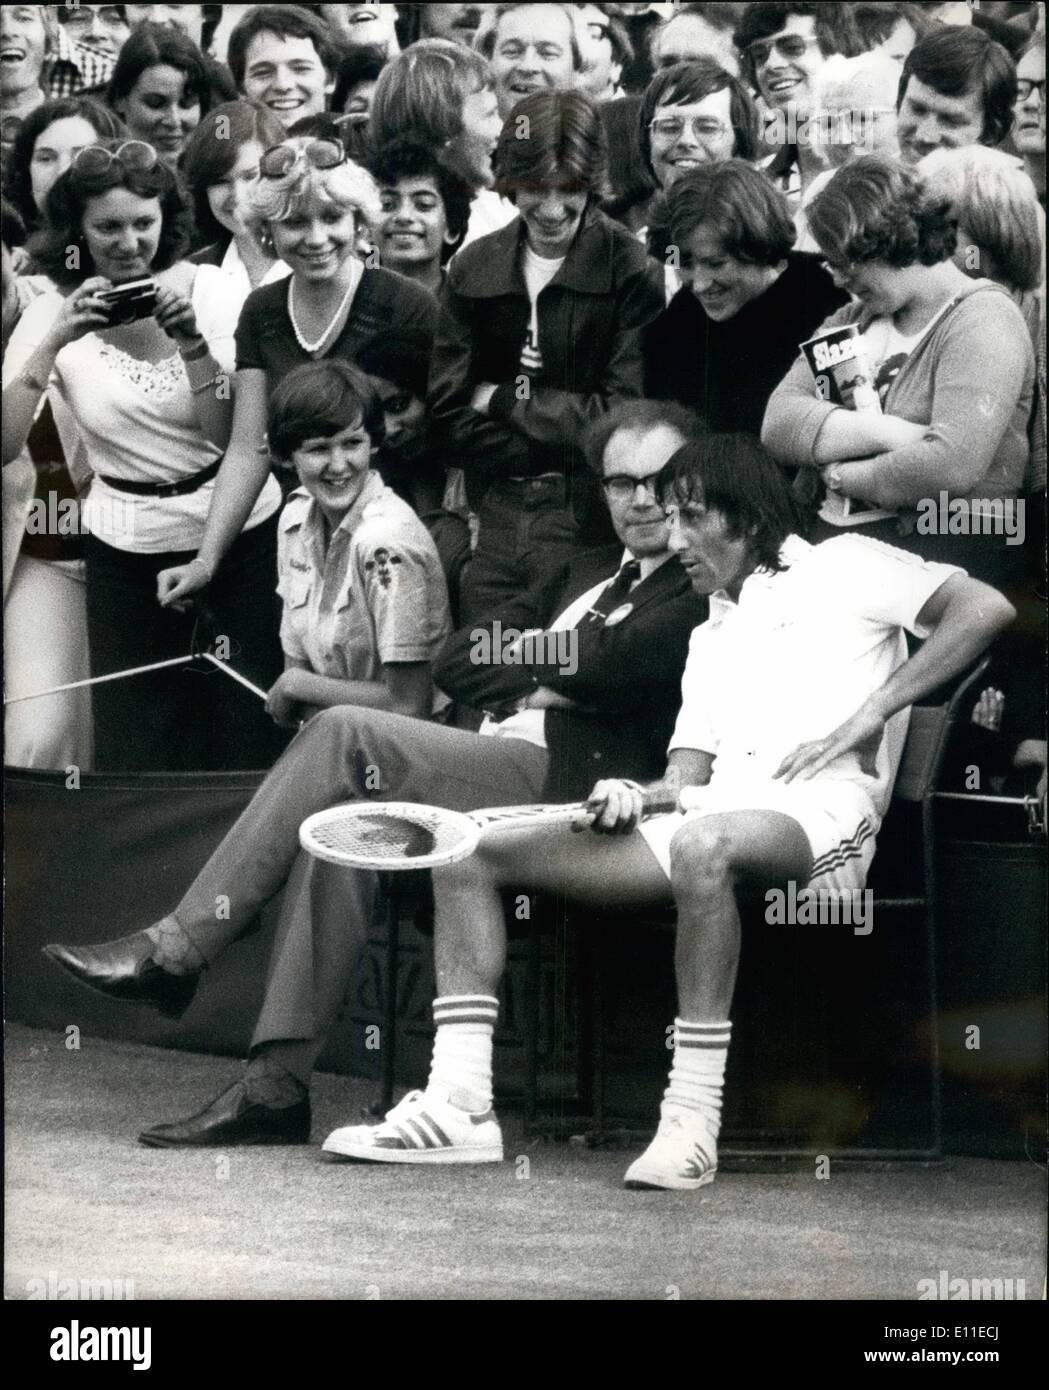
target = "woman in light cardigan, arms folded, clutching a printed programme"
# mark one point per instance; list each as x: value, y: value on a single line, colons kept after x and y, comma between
x: 954, y: 370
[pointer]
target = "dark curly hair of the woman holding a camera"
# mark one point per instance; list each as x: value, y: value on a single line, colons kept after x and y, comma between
x: 69, y: 199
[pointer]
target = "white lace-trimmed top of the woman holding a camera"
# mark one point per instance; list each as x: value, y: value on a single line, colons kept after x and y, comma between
x: 135, y: 420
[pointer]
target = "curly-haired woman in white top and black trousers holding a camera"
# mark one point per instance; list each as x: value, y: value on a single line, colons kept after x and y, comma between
x: 149, y: 405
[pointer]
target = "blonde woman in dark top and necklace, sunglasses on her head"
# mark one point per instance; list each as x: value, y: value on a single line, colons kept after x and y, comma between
x: 309, y: 206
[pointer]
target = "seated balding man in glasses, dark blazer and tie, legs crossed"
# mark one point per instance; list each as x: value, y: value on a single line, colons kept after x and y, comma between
x: 622, y: 630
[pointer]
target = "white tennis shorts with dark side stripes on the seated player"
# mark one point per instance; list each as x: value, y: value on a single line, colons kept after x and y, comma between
x: 837, y: 818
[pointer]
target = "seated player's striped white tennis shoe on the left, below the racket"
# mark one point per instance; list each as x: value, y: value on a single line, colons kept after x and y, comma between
x: 423, y: 1129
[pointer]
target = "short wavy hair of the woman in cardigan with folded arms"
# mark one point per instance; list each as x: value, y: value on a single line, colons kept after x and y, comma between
x: 877, y: 209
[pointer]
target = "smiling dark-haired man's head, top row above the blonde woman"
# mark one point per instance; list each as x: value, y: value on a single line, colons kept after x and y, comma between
x: 284, y: 58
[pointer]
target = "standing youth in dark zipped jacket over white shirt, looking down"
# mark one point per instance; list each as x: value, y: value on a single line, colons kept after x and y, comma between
x: 540, y: 333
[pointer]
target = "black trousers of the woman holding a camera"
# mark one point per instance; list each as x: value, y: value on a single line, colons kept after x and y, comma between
x: 185, y: 718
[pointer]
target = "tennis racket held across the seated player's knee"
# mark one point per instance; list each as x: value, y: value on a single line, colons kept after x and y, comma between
x: 401, y: 836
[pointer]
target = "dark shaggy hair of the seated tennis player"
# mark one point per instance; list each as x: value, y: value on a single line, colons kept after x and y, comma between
x: 736, y: 476
